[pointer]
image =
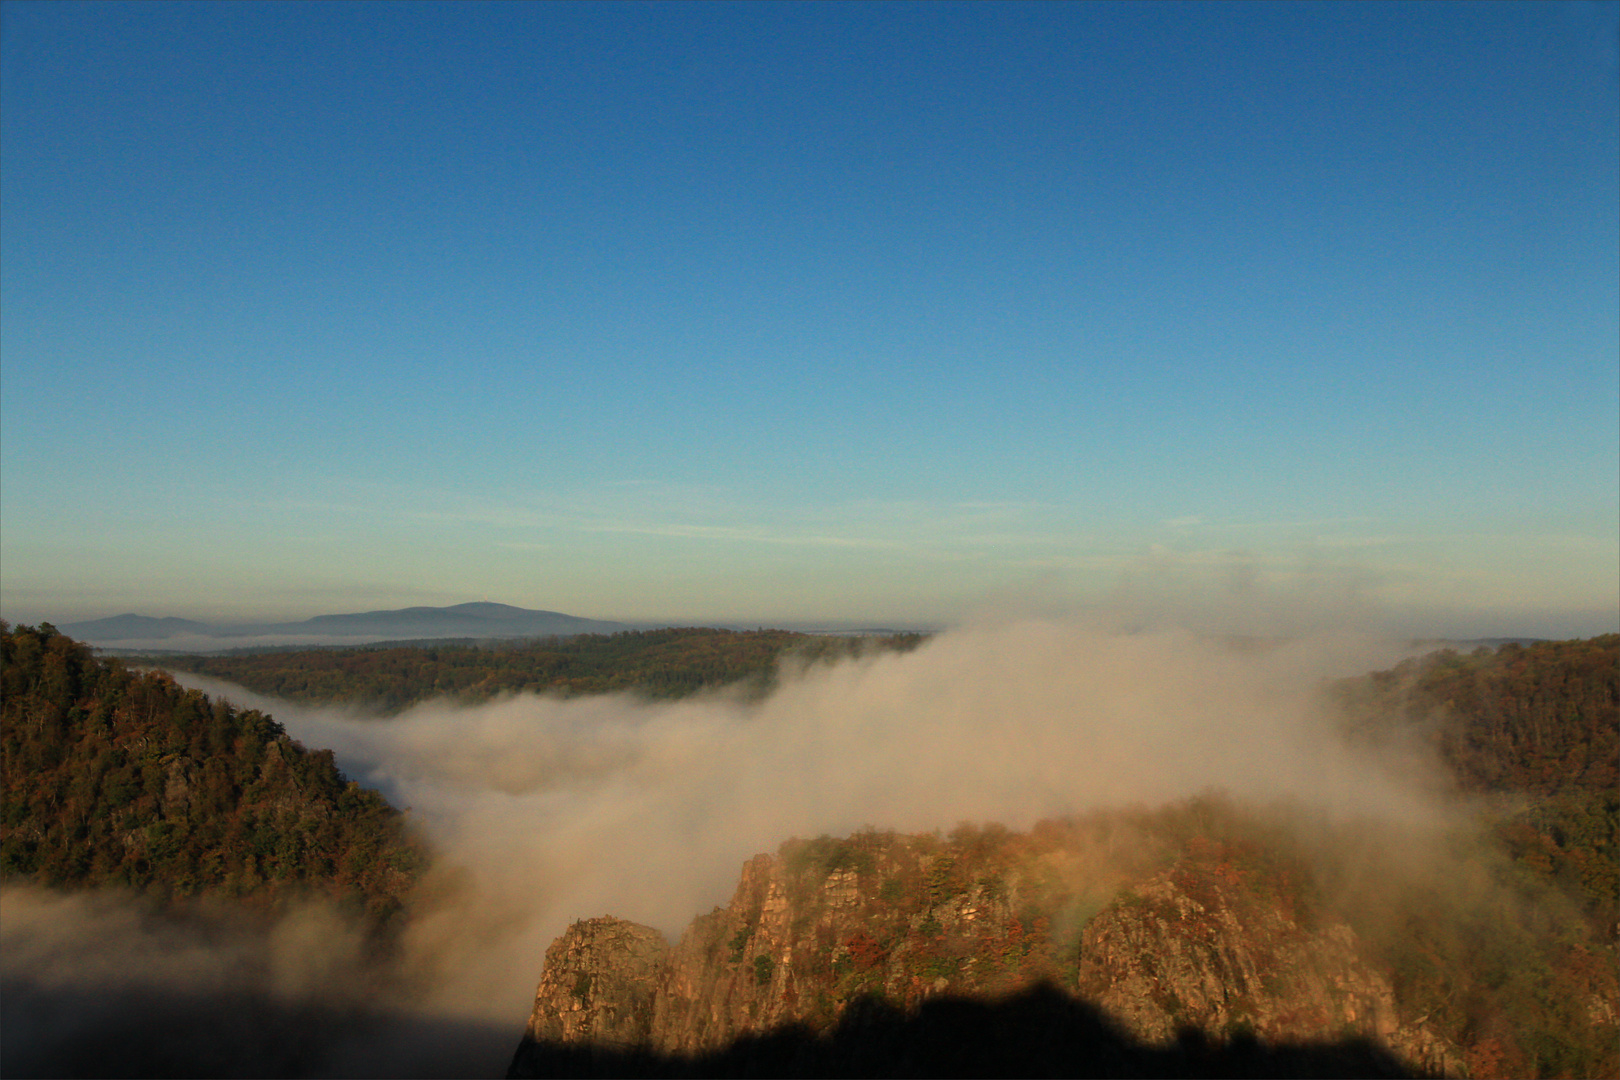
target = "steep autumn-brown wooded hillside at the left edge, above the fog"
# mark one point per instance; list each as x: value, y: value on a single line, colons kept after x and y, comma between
x: 114, y: 778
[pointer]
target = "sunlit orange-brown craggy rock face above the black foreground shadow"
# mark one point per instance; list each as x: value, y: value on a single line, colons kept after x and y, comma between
x: 827, y: 929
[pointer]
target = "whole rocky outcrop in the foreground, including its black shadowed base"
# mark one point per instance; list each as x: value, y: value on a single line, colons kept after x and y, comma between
x: 992, y: 955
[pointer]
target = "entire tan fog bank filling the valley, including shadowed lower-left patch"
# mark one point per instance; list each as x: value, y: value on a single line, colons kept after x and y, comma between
x: 545, y: 812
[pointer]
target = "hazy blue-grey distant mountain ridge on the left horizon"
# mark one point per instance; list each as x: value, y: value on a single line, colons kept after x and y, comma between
x: 461, y: 621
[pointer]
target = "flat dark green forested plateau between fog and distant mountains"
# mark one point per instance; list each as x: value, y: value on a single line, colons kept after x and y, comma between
x: 652, y: 663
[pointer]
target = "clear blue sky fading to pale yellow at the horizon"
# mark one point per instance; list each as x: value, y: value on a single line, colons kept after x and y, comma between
x: 787, y: 313
